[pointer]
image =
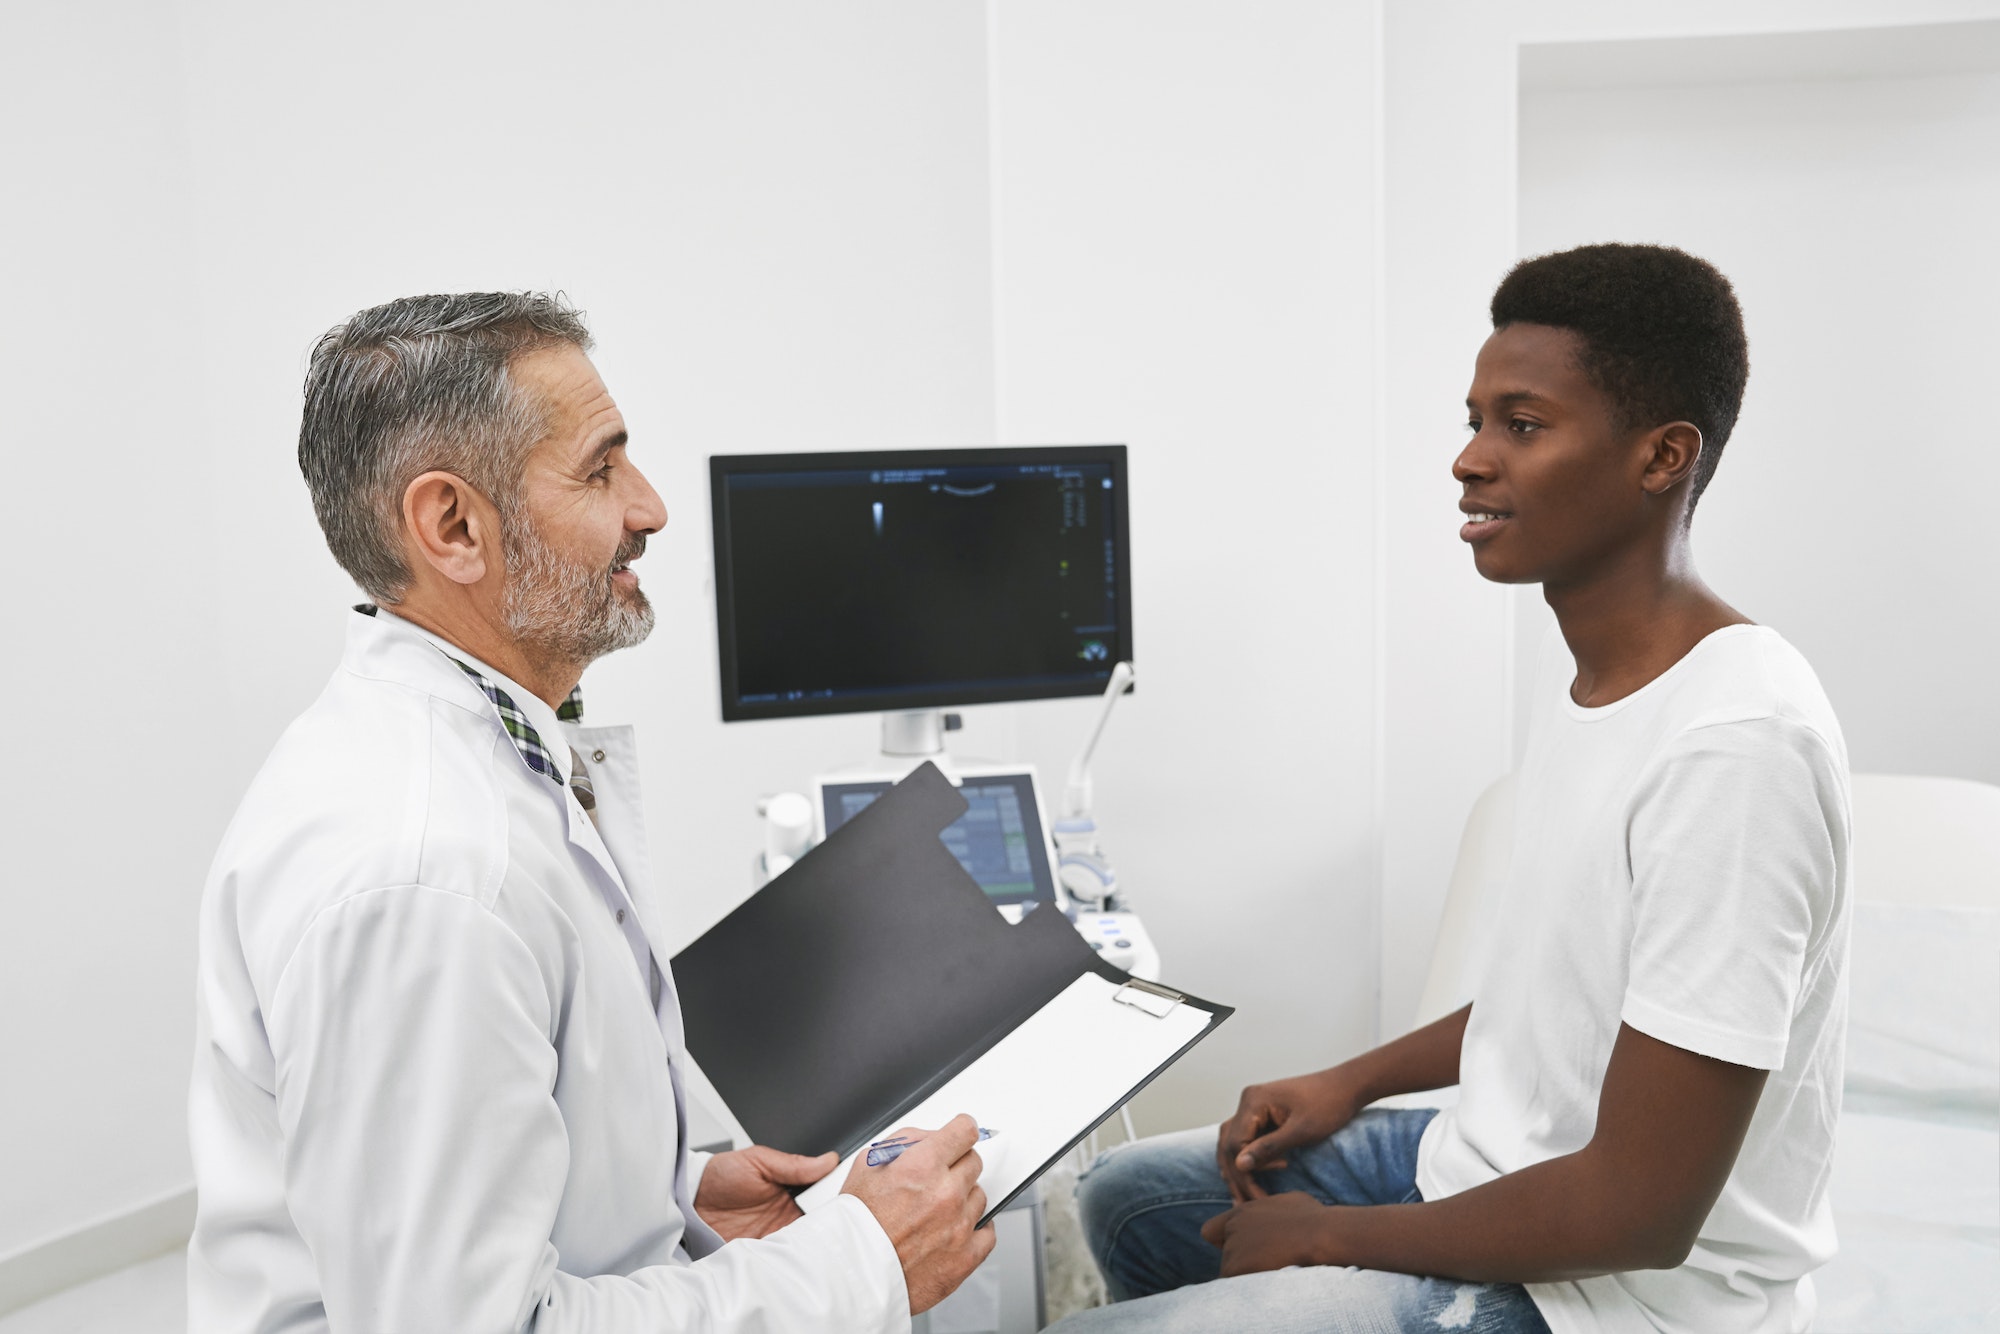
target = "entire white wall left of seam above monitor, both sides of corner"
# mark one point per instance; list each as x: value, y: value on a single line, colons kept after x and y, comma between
x: 777, y: 217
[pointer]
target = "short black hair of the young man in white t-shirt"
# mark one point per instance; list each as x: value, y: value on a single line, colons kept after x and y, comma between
x: 1661, y: 329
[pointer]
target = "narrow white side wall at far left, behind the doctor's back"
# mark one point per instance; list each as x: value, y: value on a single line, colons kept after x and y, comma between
x: 115, y: 785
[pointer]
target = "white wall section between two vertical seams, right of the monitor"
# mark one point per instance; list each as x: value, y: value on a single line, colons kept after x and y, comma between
x: 1185, y: 253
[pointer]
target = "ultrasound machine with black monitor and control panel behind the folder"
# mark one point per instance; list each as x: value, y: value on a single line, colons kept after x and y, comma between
x: 919, y: 581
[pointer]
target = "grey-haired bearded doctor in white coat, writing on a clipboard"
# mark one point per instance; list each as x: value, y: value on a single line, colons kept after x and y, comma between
x: 439, y: 1065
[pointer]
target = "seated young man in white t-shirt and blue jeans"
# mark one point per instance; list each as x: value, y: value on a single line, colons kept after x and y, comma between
x: 1651, y: 1065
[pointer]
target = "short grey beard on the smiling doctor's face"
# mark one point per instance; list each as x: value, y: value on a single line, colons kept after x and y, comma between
x: 563, y: 611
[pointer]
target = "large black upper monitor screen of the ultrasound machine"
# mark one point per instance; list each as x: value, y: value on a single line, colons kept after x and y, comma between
x: 919, y: 579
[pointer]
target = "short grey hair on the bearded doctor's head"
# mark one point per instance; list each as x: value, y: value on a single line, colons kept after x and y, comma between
x: 415, y: 387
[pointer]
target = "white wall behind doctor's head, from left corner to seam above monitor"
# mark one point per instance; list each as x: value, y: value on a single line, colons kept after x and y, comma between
x: 775, y: 215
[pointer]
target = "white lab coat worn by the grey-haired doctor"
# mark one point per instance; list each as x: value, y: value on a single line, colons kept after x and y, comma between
x: 433, y: 1091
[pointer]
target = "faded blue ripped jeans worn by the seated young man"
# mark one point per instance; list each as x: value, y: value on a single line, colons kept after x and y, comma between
x: 1145, y: 1205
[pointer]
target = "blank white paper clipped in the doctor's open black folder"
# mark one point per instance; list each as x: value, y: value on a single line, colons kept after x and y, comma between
x: 1047, y: 1083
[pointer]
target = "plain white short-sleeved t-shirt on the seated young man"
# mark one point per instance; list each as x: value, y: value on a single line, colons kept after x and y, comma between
x: 1681, y: 865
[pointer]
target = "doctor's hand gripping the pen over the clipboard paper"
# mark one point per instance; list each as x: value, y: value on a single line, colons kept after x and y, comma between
x: 931, y: 1203
